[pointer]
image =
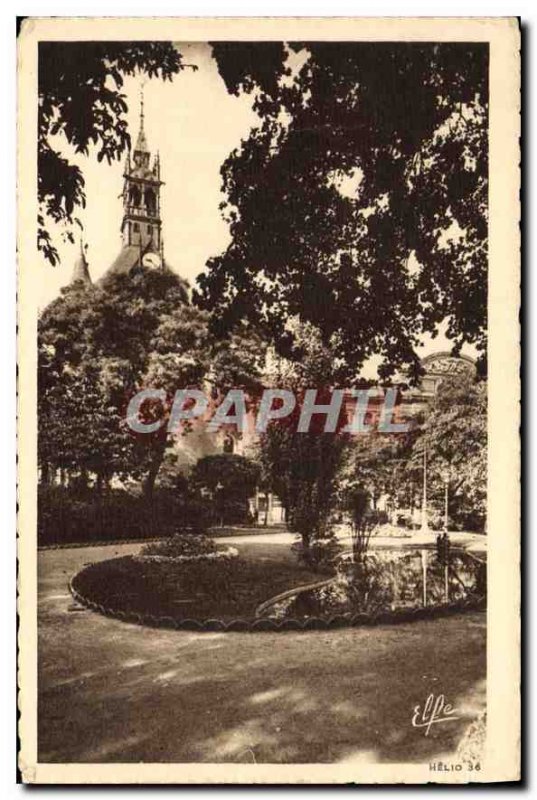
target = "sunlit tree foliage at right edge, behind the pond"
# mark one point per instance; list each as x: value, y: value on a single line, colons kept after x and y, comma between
x: 454, y: 431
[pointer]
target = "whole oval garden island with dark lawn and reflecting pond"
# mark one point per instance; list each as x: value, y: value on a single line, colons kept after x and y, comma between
x: 214, y: 591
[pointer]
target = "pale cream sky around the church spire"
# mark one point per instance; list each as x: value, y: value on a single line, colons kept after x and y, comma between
x: 195, y: 124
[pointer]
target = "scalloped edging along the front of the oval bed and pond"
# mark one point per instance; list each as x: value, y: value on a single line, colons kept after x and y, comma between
x: 271, y: 624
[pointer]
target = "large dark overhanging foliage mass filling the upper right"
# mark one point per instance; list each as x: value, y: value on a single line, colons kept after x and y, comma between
x: 359, y: 203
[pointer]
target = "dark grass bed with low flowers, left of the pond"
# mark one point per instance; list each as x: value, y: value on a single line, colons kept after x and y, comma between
x: 218, y: 586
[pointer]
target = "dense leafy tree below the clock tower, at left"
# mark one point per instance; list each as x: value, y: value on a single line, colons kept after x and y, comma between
x: 99, y: 346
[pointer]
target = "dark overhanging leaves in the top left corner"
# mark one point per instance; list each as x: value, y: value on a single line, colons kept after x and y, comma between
x: 80, y: 97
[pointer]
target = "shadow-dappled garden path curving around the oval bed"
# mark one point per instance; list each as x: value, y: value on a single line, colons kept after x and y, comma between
x: 114, y: 692
